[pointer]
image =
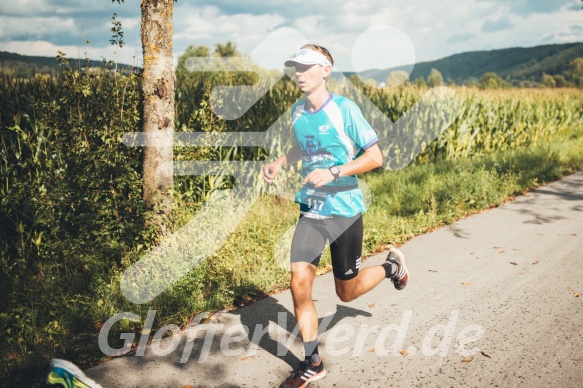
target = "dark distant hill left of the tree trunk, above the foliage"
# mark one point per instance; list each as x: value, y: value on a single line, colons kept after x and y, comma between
x: 26, y: 66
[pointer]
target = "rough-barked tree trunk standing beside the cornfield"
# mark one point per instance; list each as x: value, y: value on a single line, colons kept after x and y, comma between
x: 158, y: 88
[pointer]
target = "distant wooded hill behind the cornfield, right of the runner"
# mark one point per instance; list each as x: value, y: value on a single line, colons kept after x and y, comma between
x: 513, y: 64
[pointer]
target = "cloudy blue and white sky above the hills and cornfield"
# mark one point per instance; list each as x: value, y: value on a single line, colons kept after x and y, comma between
x: 361, y: 35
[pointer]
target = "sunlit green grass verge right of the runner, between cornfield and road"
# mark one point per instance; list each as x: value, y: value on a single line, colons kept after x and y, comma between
x: 422, y: 197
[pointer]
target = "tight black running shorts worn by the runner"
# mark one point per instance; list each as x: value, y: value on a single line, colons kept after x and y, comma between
x: 344, y: 235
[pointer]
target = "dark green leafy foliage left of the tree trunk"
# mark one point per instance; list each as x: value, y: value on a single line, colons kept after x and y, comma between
x: 70, y: 204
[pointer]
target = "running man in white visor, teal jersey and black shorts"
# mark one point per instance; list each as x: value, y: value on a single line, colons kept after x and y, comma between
x: 334, y: 143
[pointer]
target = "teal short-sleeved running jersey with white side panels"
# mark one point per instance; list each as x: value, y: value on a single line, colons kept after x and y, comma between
x: 335, y: 134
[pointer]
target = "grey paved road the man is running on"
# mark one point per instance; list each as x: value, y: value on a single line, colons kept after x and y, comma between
x: 493, y: 302
